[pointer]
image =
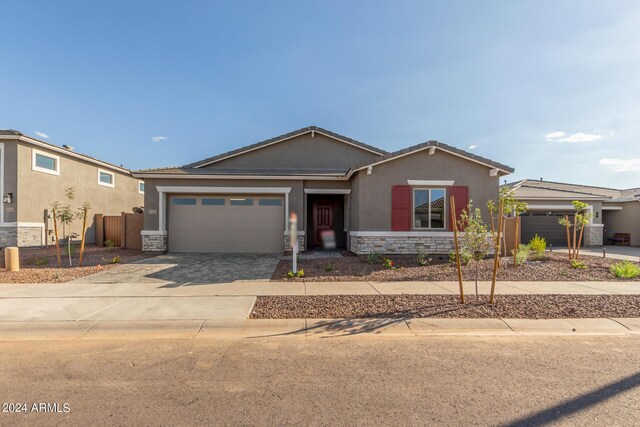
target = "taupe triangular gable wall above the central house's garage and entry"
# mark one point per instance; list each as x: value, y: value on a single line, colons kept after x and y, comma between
x: 300, y: 152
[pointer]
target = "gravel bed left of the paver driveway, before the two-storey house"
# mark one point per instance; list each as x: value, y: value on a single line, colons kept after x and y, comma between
x: 39, y: 265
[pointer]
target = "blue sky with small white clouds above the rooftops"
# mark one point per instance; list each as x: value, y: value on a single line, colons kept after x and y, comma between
x: 551, y: 88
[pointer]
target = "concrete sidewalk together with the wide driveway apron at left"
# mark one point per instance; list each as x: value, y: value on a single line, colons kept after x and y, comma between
x: 235, y: 300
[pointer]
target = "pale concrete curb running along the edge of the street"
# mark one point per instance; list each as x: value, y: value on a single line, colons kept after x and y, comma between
x: 260, y: 328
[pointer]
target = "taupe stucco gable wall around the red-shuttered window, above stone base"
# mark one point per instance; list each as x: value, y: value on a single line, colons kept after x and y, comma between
x: 371, y: 195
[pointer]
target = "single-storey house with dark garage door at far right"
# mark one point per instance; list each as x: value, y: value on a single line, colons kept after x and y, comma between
x: 613, y: 211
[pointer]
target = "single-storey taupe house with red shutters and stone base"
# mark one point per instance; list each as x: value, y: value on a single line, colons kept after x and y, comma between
x: 373, y: 200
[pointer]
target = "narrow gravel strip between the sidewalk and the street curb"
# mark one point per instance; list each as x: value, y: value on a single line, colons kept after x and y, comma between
x: 405, y: 306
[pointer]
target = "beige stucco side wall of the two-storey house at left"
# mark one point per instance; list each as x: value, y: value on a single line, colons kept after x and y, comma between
x: 36, y: 191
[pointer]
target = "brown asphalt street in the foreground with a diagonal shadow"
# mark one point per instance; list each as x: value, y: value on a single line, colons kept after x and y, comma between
x: 324, y: 381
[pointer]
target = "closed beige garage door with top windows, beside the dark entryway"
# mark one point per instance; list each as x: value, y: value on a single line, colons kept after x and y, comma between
x: 239, y: 223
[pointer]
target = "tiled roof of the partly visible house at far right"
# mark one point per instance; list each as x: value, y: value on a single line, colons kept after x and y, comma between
x: 536, y: 189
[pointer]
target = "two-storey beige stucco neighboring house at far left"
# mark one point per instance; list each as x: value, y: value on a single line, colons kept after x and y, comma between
x: 36, y: 173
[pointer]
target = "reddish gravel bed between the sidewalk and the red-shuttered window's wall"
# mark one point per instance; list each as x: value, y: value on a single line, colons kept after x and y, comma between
x: 555, y: 267
